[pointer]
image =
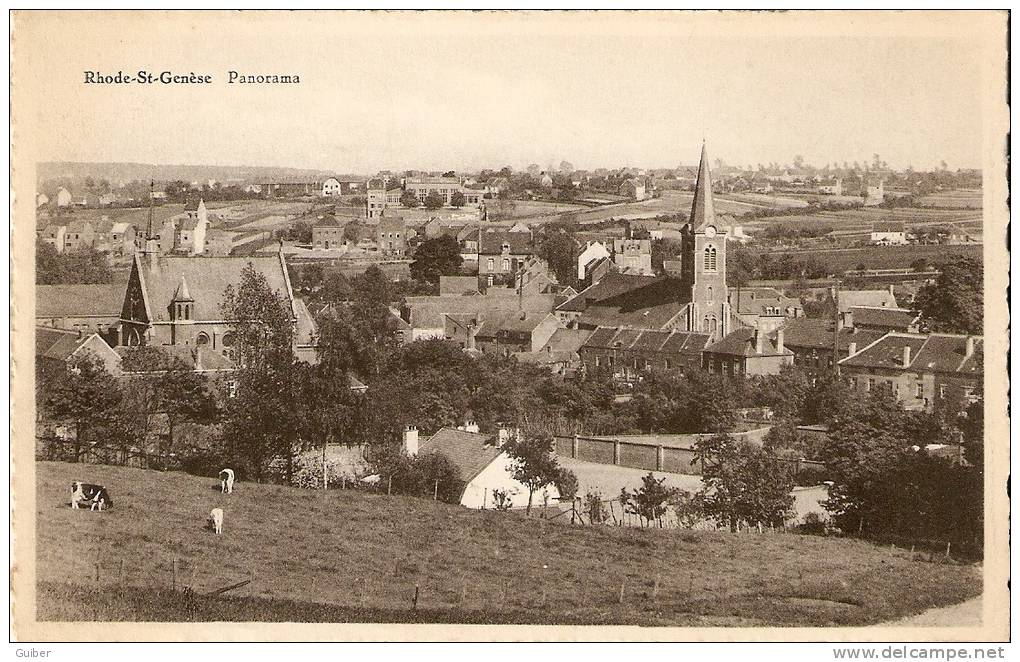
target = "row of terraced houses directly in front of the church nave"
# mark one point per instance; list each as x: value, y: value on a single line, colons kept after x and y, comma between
x: 630, y: 353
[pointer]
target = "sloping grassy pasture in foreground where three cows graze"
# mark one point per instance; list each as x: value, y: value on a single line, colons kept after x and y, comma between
x: 351, y: 556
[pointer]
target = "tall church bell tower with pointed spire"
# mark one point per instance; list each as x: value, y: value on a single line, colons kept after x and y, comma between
x: 703, y: 269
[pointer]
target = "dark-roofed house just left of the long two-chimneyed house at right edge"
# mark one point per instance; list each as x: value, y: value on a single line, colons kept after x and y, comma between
x: 811, y: 340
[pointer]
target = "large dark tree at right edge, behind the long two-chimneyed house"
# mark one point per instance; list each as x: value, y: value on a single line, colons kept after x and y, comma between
x: 955, y: 302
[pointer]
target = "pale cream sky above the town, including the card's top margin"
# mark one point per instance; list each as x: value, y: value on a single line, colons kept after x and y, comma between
x: 399, y: 91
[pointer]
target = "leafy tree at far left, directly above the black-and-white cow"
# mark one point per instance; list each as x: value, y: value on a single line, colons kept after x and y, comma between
x: 87, y: 398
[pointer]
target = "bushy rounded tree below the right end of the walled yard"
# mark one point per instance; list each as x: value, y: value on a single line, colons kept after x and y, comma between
x: 743, y: 484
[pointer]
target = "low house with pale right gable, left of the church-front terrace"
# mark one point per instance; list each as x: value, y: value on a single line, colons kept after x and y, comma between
x: 502, y: 333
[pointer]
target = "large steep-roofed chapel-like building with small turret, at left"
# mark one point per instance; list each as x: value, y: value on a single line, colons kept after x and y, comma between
x: 177, y: 300
